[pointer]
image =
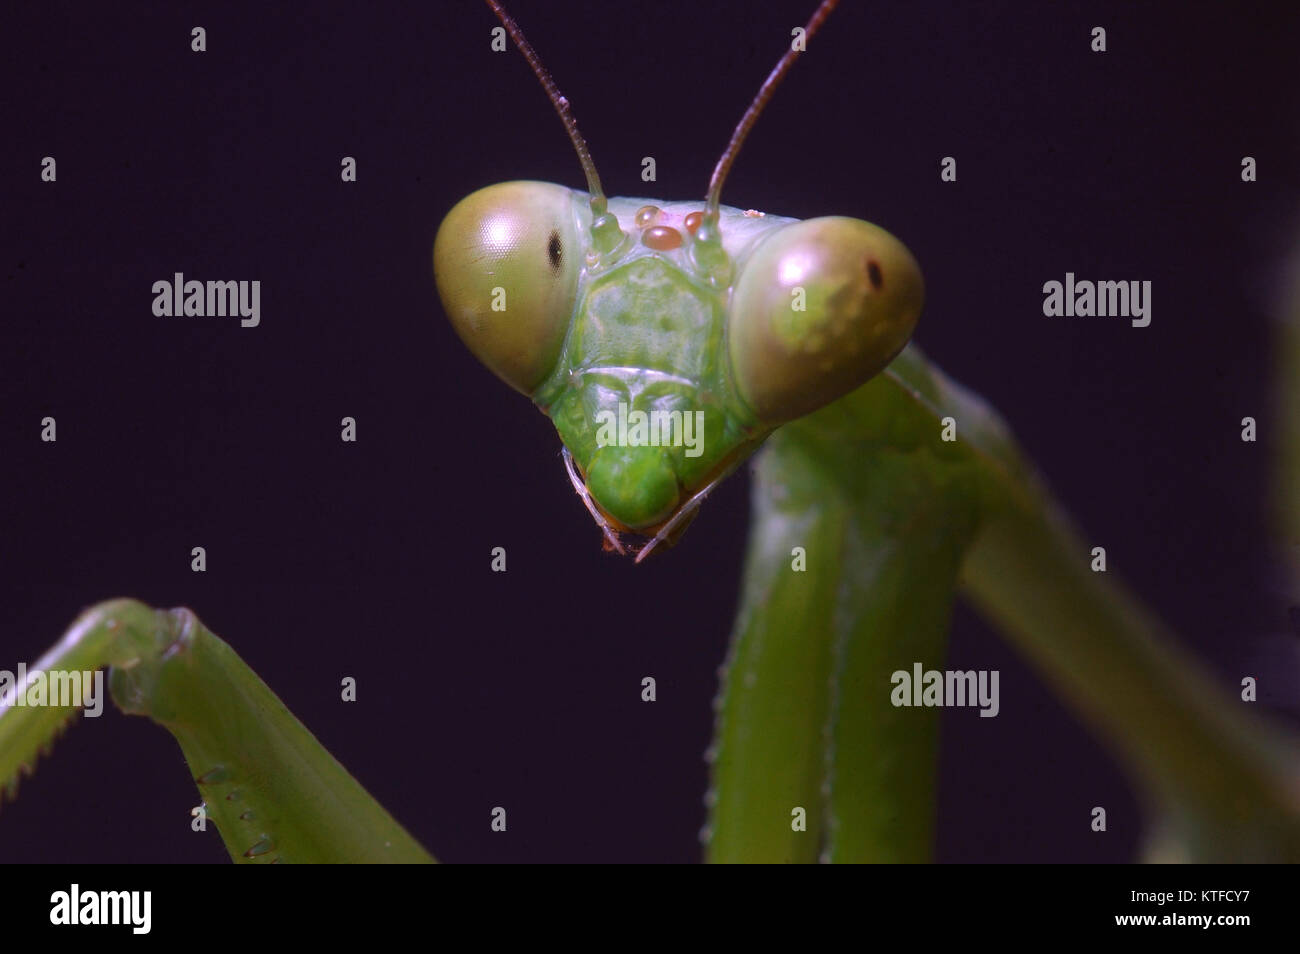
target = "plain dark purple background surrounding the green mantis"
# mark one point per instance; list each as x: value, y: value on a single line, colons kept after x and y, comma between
x: 372, y: 560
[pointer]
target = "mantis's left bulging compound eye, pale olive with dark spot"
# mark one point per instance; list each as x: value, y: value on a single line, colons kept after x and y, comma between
x: 506, y: 264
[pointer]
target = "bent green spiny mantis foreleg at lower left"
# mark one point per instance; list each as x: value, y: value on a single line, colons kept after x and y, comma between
x: 270, y: 787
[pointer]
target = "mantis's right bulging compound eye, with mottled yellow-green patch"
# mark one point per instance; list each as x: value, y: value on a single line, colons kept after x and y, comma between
x: 820, y: 309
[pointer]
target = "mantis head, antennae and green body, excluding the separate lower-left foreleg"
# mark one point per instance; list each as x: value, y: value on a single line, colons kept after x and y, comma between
x: 869, y: 510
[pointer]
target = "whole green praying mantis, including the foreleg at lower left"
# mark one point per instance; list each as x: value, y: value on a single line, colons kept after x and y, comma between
x: 887, y: 514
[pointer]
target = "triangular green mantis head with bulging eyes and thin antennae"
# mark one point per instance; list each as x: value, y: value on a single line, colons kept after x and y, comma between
x: 668, y: 340
